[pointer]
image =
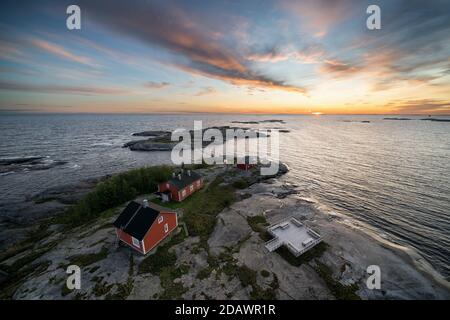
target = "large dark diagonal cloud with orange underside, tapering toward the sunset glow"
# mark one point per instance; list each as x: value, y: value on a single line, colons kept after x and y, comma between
x: 195, y: 48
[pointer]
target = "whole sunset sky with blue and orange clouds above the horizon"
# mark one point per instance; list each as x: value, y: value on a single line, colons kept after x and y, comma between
x: 253, y: 56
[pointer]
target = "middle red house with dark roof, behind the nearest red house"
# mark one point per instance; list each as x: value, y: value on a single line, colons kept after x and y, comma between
x: 181, y: 186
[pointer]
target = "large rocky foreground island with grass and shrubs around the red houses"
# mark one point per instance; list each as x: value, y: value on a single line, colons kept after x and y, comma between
x: 217, y: 253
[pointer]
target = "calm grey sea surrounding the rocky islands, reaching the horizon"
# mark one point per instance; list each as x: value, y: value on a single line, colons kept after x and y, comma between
x: 393, y: 176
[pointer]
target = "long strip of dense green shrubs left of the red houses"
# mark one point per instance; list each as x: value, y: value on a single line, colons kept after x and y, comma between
x: 113, y: 192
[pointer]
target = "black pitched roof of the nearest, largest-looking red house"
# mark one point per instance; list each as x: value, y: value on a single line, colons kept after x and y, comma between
x: 136, y: 219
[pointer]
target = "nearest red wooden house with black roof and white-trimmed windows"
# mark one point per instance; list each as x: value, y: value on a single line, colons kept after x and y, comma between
x: 143, y: 226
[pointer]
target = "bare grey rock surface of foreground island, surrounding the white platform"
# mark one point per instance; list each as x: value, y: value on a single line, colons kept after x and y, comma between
x: 231, y: 263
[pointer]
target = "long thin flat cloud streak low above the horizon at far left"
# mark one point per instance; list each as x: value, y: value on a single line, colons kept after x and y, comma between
x: 56, y: 89
